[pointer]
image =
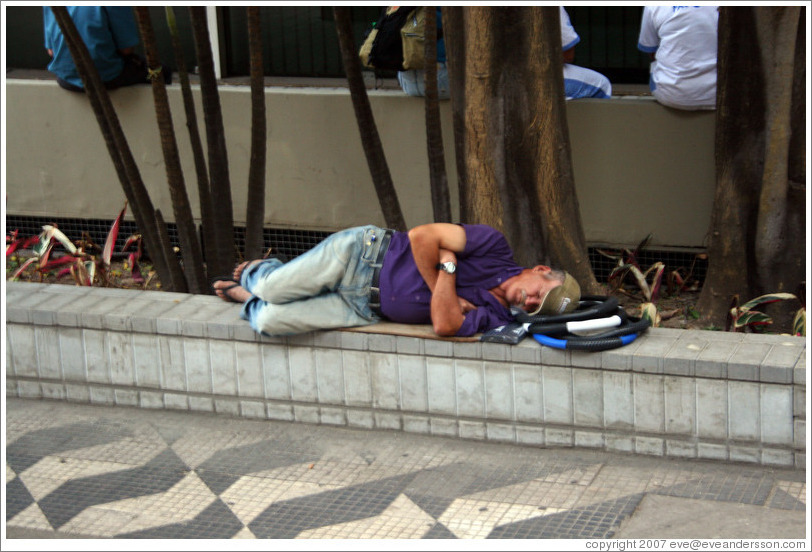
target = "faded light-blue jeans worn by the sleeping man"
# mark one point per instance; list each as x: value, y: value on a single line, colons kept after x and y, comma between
x: 326, y: 287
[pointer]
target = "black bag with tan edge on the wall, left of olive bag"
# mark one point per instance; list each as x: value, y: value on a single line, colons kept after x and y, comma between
x: 383, y: 45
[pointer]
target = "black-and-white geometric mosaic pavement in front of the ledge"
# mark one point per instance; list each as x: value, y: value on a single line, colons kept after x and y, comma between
x: 129, y: 473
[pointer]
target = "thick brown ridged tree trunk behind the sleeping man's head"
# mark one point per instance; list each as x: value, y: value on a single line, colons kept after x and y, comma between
x: 516, y: 164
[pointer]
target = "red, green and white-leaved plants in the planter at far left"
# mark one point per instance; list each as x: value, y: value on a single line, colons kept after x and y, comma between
x: 85, y: 261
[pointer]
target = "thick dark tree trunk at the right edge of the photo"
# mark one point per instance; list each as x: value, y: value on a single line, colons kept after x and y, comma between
x: 758, y: 219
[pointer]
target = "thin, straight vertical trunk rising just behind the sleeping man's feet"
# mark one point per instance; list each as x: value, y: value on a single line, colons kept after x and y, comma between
x: 255, y: 209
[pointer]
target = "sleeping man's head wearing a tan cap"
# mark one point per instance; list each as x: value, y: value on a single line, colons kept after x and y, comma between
x: 543, y: 290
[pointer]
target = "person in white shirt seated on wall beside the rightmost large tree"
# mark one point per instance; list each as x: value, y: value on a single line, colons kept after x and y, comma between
x: 681, y: 41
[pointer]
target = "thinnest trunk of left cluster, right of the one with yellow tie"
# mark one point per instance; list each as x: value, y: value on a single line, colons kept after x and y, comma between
x: 201, y: 172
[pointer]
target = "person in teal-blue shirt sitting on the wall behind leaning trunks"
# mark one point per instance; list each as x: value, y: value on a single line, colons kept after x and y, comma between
x: 111, y: 35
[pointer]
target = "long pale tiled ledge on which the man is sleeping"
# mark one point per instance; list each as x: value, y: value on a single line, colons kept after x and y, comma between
x: 687, y: 394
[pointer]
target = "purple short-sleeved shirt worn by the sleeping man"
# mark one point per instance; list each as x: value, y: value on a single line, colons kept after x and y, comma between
x: 486, y: 262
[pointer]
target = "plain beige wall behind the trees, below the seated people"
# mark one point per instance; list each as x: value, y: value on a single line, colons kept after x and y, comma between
x: 640, y: 167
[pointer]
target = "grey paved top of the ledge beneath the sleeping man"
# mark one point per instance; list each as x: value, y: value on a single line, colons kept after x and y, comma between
x: 761, y: 358
